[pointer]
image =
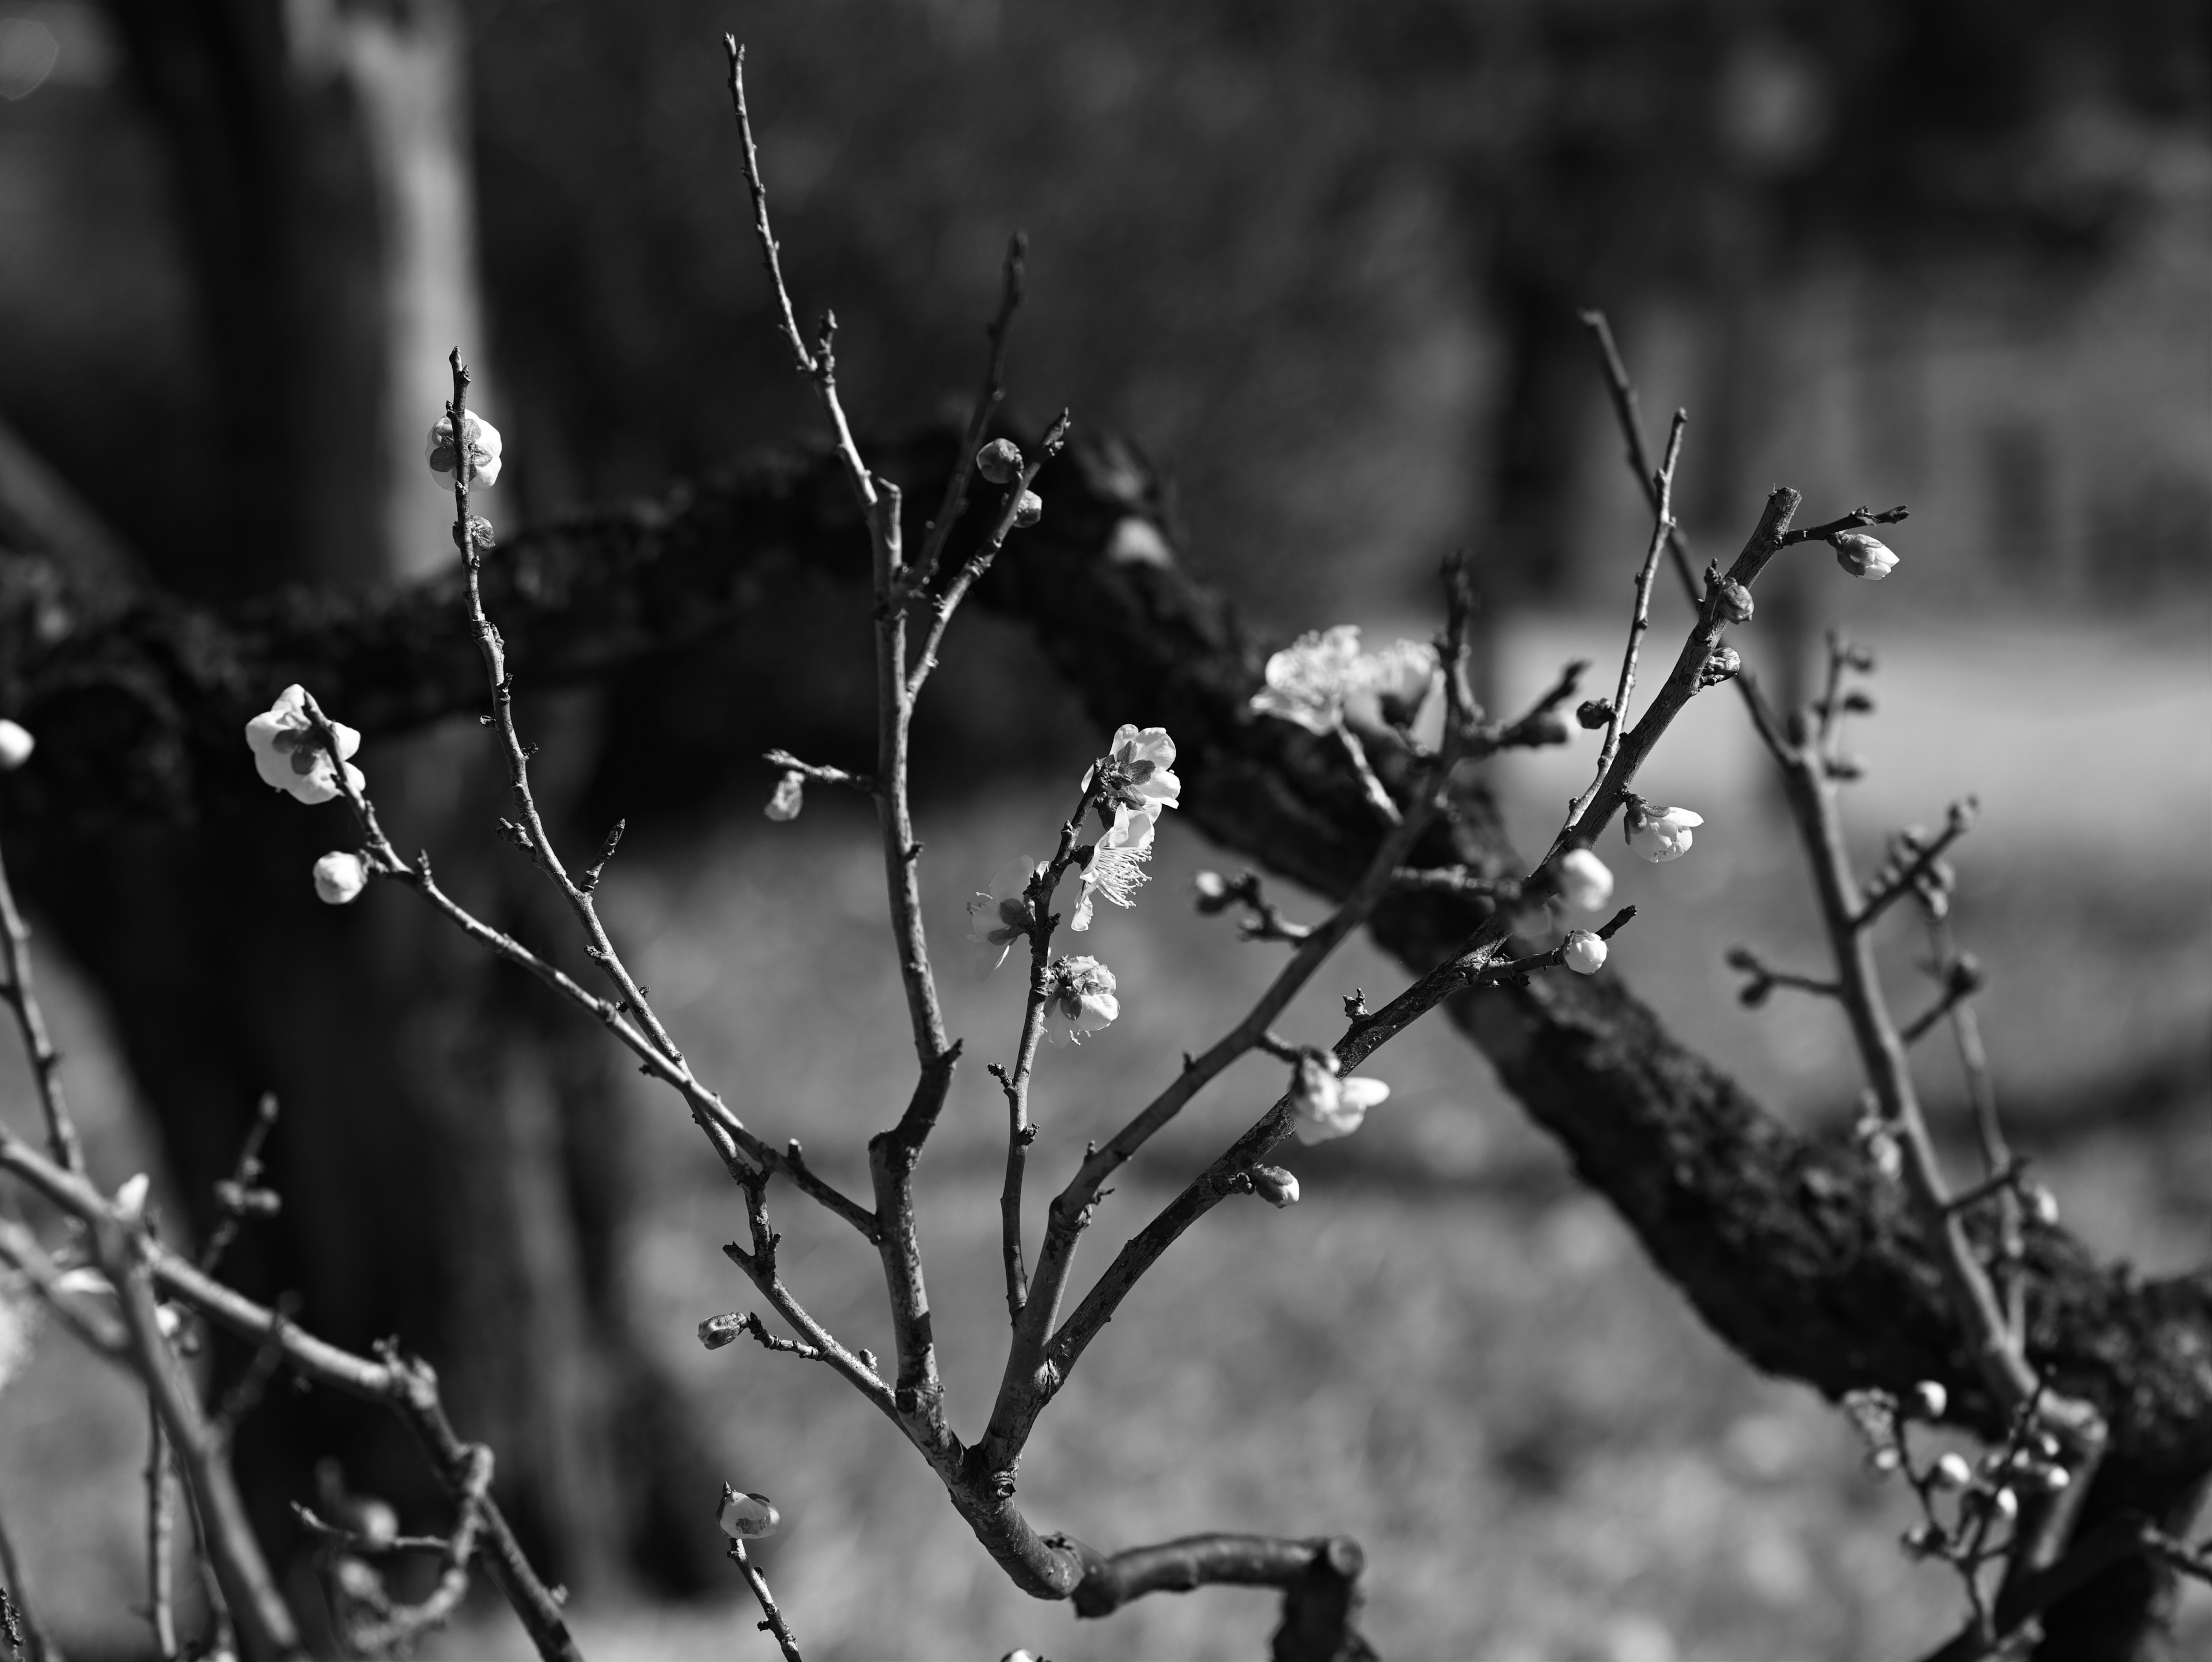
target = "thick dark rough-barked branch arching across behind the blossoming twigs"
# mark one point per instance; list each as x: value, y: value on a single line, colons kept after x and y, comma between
x: 1791, y: 1249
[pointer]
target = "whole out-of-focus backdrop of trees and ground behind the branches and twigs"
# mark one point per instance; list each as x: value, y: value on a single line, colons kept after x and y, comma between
x: 1324, y: 264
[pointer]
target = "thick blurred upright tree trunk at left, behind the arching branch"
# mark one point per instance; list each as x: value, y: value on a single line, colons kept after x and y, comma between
x: 448, y: 1156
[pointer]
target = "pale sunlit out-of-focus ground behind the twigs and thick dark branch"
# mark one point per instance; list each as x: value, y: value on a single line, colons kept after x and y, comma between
x: 1443, y: 1349
